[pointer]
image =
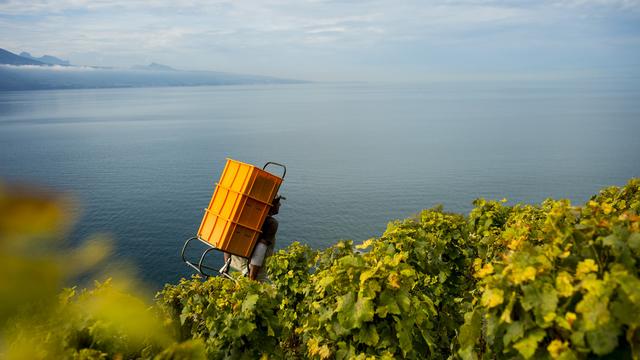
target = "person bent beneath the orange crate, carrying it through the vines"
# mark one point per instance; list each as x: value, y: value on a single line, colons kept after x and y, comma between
x: 254, y: 267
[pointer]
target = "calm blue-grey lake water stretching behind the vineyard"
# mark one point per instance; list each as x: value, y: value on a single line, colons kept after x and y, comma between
x: 143, y: 161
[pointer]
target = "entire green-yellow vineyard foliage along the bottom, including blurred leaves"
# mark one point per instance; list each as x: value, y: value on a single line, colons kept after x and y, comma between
x: 548, y: 281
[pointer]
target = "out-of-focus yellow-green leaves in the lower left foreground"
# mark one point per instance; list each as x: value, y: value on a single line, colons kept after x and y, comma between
x: 41, y: 320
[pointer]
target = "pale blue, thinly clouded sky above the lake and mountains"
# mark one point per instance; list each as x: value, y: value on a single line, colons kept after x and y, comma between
x: 331, y: 40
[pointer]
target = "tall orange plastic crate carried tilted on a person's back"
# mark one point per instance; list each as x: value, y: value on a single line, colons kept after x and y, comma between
x: 238, y: 208
